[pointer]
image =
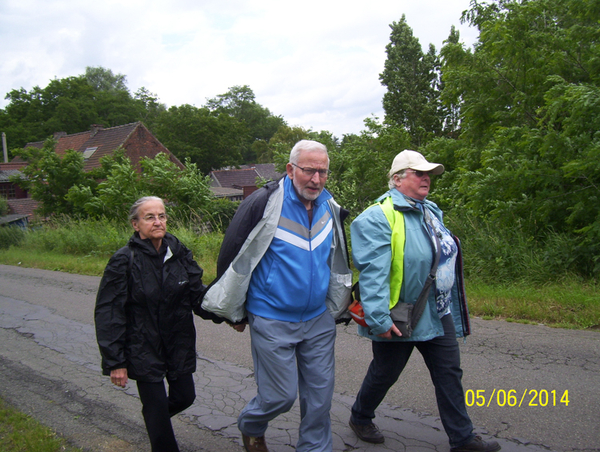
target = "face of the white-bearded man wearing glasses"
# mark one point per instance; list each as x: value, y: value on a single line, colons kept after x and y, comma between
x: 309, y: 187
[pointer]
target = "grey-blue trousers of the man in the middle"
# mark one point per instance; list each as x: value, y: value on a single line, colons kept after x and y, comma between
x: 291, y: 358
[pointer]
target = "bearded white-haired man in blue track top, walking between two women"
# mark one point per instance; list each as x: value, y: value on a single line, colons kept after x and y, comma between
x: 284, y: 260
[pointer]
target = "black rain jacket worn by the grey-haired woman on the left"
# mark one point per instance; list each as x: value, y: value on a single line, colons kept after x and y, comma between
x: 144, y: 319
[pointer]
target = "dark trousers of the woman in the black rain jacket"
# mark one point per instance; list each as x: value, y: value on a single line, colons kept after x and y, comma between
x: 157, y: 409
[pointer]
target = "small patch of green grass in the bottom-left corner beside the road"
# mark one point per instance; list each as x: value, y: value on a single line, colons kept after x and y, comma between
x: 21, y: 433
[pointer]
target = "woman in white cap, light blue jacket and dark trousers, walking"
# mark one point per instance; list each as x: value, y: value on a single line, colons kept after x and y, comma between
x: 417, y: 301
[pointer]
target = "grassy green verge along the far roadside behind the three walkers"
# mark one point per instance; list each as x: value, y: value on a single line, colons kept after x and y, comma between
x: 507, y: 277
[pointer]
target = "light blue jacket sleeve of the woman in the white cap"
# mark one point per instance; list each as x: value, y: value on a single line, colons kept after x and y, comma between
x: 372, y: 255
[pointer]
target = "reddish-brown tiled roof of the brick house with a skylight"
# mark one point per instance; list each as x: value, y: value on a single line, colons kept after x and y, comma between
x: 97, y: 142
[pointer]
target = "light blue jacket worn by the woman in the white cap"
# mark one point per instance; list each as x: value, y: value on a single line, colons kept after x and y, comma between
x: 371, y: 251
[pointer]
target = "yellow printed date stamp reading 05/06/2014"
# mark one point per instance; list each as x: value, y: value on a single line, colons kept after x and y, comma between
x: 514, y: 398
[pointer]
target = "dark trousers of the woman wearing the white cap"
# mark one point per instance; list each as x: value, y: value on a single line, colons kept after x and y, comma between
x: 442, y: 357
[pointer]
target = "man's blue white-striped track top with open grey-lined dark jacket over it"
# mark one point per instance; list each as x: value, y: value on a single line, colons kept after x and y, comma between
x: 270, y: 261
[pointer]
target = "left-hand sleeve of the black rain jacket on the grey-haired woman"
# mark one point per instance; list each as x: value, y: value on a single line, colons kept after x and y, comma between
x: 109, y: 314
